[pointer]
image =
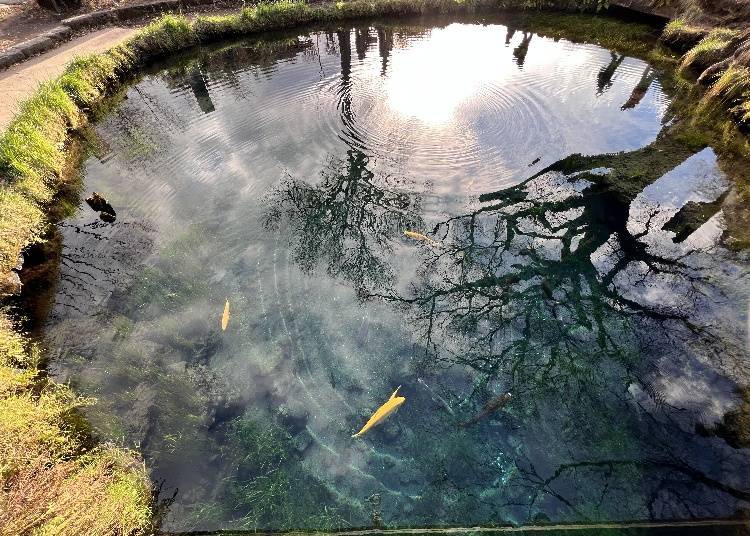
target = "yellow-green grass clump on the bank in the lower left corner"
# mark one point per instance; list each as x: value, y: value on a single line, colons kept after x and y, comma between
x: 51, y: 483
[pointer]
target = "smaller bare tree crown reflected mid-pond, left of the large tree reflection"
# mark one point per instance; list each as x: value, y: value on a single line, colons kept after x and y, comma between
x: 348, y: 221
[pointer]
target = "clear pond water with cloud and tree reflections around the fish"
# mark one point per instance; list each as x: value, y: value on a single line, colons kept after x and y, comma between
x: 282, y: 174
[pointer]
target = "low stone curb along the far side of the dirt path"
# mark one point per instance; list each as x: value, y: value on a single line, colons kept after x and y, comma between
x: 49, y: 40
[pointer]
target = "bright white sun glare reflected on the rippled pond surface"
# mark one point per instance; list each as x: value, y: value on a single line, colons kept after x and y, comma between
x: 430, y: 80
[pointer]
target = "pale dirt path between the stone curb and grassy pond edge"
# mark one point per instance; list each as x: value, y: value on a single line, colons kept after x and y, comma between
x: 19, y: 81
